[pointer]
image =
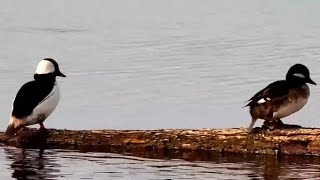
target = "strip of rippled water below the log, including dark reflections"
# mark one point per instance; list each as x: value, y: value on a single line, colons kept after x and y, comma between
x: 58, y: 164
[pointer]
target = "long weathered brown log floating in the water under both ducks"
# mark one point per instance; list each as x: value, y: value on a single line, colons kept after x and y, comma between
x: 303, y: 141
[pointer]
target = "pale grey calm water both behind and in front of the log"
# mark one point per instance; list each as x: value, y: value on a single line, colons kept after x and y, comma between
x: 148, y: 64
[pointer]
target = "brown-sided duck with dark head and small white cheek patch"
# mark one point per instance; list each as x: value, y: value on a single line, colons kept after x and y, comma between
x: 281, y: 98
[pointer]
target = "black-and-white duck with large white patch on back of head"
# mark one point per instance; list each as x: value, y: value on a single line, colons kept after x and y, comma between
x: 36, y: 99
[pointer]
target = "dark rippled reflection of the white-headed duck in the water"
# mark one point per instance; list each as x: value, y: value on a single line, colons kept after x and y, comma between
x: 32, y: 164
